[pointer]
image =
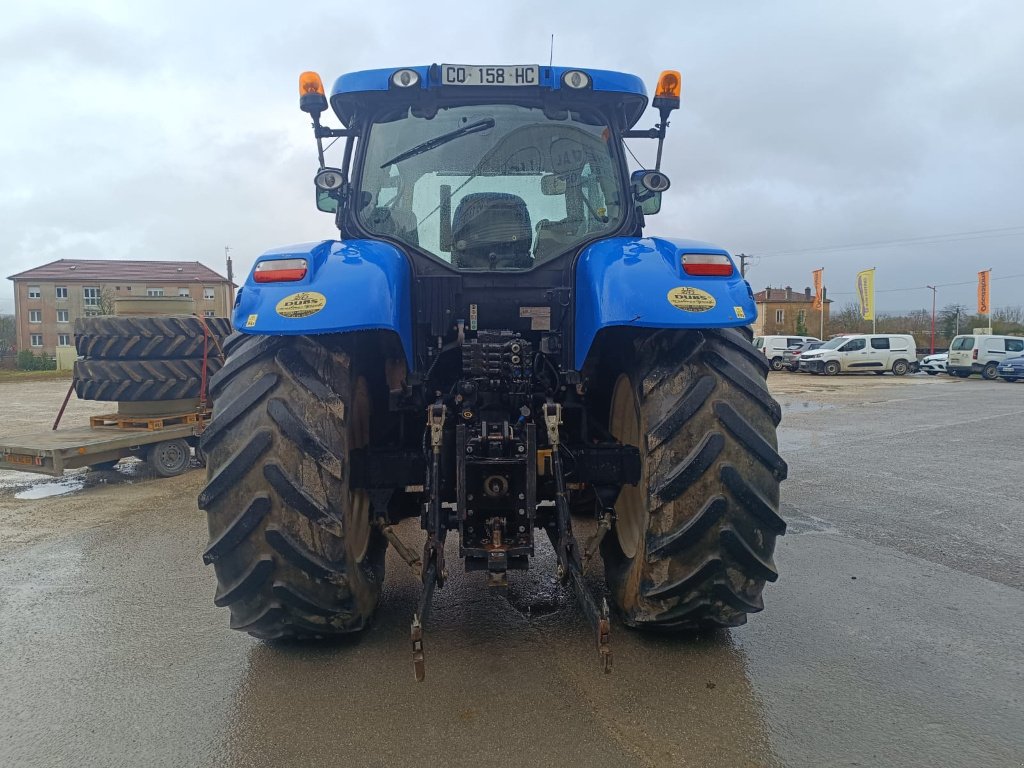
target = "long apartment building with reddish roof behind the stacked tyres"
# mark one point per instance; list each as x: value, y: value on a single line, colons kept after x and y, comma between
x: 50, y: 298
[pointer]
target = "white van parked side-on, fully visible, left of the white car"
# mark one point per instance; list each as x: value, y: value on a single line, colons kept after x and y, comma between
x: 878, y: 353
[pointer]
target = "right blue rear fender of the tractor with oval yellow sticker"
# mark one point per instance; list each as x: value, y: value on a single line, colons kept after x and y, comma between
x: 639, y: 283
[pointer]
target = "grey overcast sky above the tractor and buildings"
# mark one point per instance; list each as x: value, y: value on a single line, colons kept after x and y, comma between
x: 168, y: 131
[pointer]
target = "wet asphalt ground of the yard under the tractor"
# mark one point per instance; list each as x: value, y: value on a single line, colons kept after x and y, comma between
x: 895, y: 636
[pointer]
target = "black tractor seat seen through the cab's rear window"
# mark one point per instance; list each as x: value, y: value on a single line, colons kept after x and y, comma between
x: 492, y: 231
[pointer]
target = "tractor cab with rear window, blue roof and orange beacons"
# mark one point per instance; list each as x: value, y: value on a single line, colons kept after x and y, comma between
x: 487, y: 168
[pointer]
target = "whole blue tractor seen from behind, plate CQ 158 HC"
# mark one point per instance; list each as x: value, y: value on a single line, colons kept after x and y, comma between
x: 495, y: 348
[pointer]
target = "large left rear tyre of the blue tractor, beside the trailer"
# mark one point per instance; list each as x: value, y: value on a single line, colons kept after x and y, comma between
x: 293, y: 547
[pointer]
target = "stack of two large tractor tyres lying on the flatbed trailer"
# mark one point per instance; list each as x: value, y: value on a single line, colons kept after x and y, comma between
x: 132, y: 359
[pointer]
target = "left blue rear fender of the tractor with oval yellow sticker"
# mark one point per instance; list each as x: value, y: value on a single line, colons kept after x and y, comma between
x: 355, y: 285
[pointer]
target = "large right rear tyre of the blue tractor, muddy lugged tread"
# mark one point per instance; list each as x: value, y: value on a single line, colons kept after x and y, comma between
x: 692, y: 547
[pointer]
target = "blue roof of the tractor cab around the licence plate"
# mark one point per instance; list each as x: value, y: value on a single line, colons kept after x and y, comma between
x: 615, y: 87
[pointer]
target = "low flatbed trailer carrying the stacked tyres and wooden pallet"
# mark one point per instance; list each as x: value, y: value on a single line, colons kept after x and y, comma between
x: 164, y: 442
